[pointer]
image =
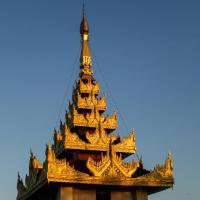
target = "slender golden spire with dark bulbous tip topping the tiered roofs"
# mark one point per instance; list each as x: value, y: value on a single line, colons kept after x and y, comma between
x: 85, y: 59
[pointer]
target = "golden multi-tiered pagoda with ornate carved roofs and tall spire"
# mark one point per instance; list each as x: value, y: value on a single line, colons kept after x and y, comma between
x: 86, y: 159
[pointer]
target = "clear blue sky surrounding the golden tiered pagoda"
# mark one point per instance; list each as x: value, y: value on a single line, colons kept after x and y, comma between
x: 149, y: 53
